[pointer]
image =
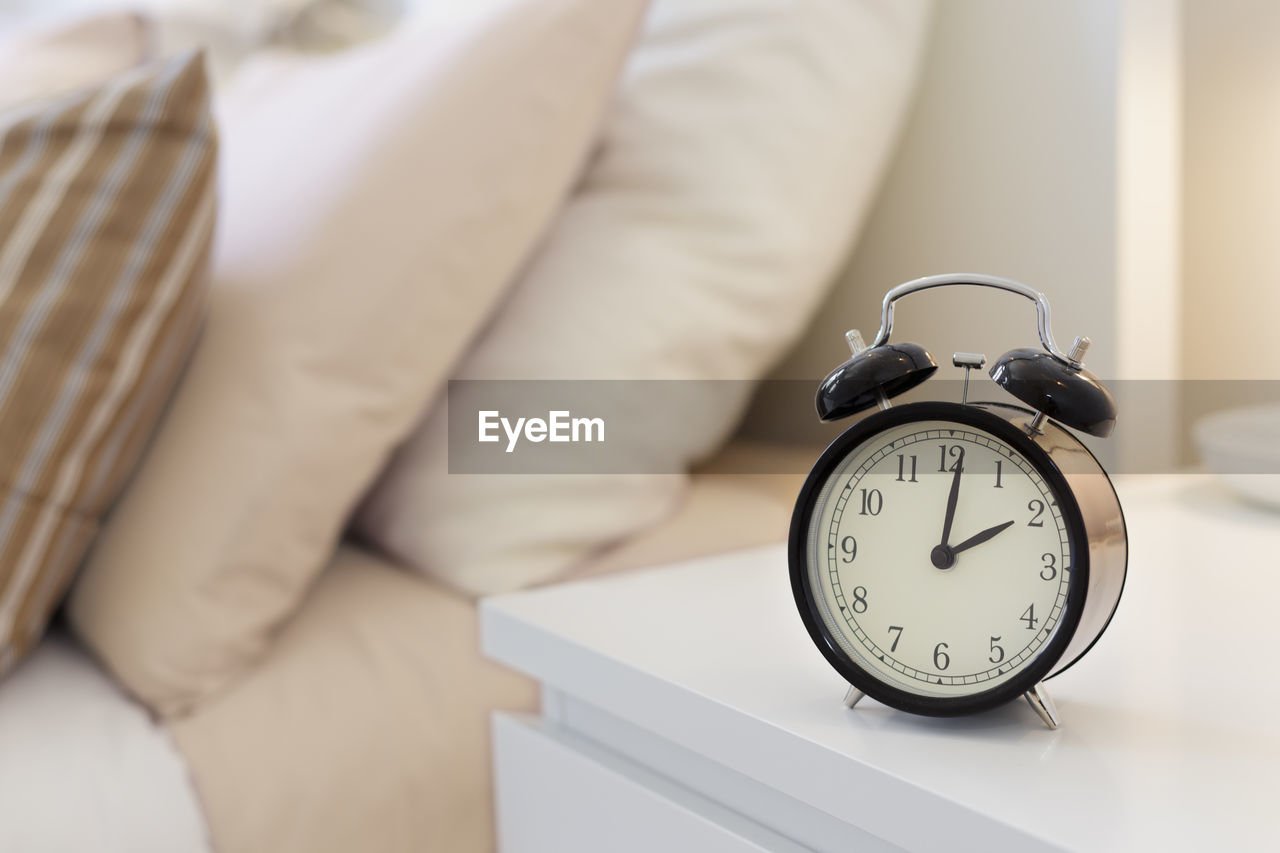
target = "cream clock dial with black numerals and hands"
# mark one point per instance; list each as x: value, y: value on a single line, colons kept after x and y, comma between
x: 930, y: 608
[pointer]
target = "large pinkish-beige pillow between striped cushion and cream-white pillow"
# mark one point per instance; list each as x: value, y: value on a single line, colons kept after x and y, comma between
x: 377, y: 206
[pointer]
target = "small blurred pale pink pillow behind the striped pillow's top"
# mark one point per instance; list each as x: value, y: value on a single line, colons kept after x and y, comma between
x: 53, y: 58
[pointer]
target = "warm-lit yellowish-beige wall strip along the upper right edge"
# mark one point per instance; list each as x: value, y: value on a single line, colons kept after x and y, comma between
x: 1232, y: 189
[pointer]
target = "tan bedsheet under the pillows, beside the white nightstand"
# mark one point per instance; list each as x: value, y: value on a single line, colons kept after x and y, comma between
x: 365, y: 728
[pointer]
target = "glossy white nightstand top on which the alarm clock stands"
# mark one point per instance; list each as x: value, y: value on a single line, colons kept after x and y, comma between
x: 1169, y: 741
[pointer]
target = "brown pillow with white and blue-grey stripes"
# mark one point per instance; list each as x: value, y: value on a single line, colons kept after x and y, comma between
x: 107, y: 209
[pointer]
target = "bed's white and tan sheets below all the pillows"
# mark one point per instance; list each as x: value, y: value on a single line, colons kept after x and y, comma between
x: 367, y: 728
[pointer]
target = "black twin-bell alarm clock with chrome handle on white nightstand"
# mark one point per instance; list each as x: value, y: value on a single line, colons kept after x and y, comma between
x: 950, y: 556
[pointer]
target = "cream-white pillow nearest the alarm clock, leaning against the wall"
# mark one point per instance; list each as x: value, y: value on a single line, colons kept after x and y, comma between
x: 744, y: 150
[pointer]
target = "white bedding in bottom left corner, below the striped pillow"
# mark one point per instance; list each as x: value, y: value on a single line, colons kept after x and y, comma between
x: 84, y: 768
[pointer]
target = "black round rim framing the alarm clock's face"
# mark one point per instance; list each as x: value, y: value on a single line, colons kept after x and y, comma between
x: 970, y: 416
